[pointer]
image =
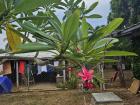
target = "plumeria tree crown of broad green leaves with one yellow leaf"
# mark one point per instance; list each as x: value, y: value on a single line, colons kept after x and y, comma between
x: 72, y: 39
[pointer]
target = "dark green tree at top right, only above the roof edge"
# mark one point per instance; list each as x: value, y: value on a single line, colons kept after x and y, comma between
x: 127, y: 9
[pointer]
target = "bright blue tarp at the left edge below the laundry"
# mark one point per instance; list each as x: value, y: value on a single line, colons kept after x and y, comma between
x: 5, y: 85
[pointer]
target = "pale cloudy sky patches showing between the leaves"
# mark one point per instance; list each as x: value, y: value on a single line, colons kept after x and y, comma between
x: 102, y: 9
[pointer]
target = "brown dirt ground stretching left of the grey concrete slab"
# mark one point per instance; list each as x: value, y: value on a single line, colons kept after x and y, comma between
x: 70, y: 97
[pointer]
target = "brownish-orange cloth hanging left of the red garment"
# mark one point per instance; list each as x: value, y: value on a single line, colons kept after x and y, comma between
x: 7, y: 68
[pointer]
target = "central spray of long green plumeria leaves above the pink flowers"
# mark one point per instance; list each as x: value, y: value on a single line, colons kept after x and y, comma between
x: 66, y: 36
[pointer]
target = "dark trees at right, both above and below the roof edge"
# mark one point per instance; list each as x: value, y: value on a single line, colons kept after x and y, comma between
x: 130, y: 11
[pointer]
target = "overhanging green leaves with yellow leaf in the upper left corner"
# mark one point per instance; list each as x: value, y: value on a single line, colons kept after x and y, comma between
x: 12, y: 11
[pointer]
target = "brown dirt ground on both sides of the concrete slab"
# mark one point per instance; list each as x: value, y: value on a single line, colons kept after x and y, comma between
x: 61, y: 97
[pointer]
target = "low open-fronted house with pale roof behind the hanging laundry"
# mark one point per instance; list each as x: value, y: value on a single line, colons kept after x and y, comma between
x: 29, y: 59
